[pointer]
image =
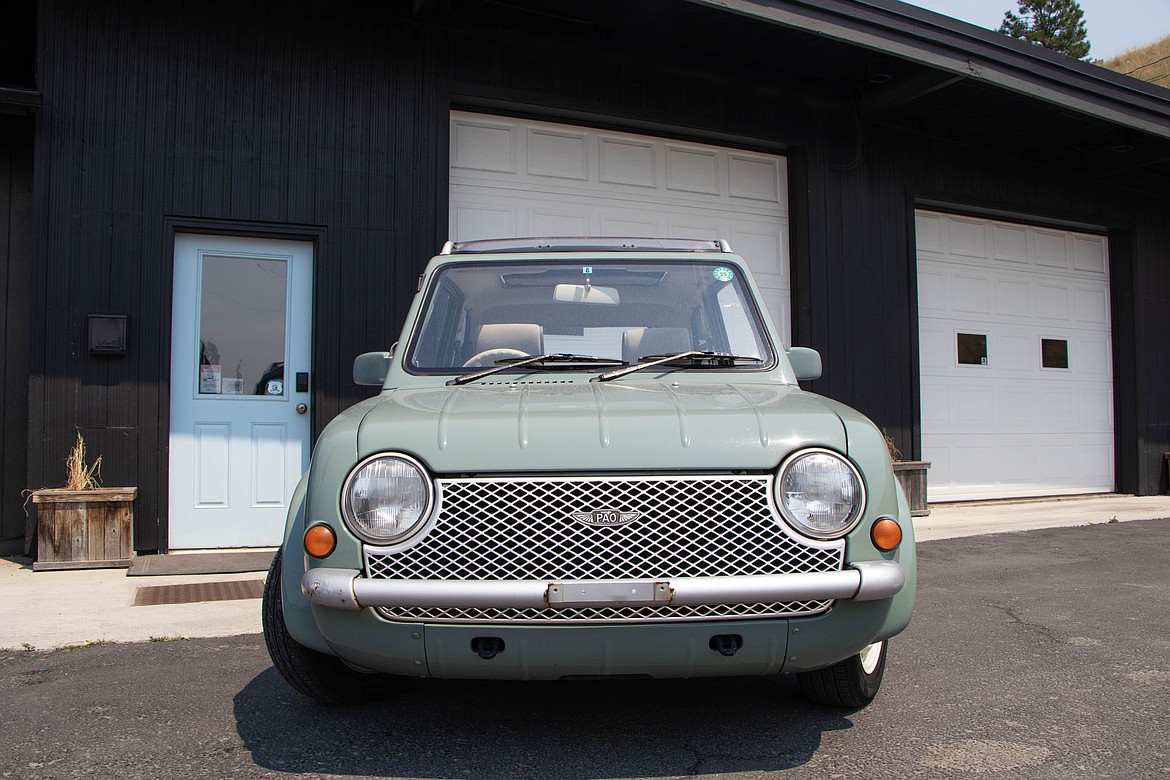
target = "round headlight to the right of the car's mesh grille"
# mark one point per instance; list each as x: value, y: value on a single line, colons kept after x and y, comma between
x: 821, y: 494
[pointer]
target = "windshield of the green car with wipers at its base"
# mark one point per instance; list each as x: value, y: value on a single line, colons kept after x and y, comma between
x: 624, y: 310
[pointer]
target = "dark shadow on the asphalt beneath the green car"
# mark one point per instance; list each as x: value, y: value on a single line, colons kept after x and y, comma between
x: 510, y: 730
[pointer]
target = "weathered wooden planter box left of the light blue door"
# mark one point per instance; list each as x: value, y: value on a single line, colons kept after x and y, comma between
x: 85, y: 529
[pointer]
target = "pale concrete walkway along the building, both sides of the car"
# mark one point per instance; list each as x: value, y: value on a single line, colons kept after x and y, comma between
x: 63, y: 609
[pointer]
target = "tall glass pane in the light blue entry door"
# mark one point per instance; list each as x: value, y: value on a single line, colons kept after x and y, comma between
x: 242, y: 327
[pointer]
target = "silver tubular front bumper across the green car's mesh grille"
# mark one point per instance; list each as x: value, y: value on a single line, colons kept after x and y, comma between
x: 346, y: 589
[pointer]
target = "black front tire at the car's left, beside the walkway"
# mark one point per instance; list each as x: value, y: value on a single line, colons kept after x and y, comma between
x: 318, y: 675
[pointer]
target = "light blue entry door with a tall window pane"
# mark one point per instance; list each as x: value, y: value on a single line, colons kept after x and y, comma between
x: 240, y: 363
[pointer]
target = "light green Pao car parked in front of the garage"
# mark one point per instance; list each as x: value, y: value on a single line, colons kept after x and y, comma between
x: 590, y: 458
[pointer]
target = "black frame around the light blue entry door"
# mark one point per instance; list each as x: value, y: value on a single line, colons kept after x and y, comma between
x: 316, y: 237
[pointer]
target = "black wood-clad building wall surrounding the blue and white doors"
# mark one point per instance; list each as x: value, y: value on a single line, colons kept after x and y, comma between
x: 332, y: 121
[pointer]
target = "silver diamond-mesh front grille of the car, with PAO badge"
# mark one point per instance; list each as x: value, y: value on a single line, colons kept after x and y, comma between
x: 525, y: 529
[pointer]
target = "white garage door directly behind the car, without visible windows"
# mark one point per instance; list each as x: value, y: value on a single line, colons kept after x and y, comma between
x: 520, y: 178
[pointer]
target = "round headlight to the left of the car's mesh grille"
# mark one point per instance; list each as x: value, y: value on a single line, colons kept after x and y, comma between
x: 387, y: 499
